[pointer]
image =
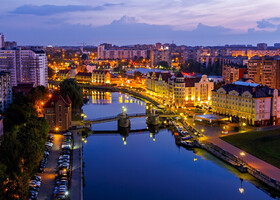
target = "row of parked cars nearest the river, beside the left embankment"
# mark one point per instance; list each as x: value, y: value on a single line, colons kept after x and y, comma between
x: 61, y: 189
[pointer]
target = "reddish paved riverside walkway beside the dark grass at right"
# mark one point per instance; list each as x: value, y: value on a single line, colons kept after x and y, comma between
x: 264, y: 167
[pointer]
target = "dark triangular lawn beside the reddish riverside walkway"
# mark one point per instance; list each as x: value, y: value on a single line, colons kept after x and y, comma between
x: 262, y: 144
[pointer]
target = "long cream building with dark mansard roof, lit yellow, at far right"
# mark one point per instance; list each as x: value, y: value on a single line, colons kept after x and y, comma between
x: 247, y: 102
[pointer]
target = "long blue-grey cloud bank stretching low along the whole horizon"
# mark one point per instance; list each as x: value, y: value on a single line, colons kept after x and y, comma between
x: 127, y: 30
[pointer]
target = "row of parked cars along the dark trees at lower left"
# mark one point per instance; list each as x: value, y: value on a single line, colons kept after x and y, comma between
x: 35, y: 183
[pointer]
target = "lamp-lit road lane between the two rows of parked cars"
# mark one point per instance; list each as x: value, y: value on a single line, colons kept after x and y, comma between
x: 48, y: 178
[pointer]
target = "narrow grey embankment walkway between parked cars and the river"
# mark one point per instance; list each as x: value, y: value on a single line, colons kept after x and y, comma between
x: 76, y: 182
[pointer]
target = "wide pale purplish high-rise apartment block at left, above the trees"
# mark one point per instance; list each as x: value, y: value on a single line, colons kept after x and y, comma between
x: 25, y: 66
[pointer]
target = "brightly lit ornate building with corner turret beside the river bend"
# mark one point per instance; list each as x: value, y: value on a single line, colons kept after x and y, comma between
x: 180, y: 91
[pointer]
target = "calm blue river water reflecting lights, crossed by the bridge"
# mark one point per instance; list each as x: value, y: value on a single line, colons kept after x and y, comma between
x: 150, y: 167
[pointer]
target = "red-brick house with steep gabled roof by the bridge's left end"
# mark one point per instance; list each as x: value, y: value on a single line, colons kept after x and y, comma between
x: 57, y: 111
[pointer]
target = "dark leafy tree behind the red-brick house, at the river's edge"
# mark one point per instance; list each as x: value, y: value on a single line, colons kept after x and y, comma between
x: 74, y: 91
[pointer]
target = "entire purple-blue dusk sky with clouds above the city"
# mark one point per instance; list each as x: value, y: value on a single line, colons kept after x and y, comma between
x: 189, y: 22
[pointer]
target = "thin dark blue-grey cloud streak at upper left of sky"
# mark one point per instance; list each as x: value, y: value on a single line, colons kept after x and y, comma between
x: 46, y: 10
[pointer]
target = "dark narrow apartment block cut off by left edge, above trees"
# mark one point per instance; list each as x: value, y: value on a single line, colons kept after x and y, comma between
x: 5, y: 90
